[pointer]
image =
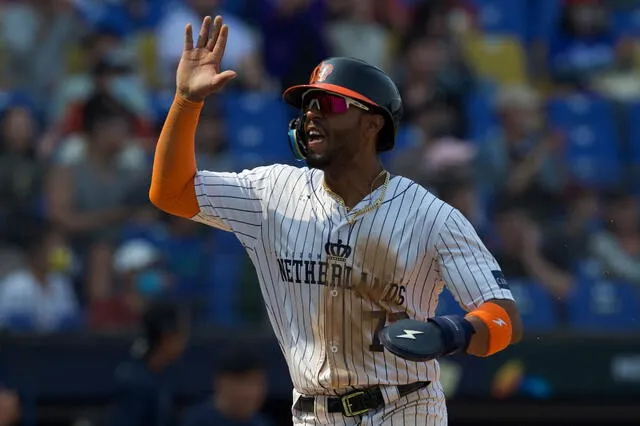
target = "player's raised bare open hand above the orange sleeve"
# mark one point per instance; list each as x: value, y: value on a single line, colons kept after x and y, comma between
x: 199, y: 73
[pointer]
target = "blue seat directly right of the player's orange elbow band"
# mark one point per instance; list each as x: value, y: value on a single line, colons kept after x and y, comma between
x: 536, y: 305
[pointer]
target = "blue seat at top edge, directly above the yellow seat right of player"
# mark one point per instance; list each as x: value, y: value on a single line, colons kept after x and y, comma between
x: 503, y: 17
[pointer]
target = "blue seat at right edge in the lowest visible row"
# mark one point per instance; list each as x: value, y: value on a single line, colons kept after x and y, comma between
x: 604, y: 305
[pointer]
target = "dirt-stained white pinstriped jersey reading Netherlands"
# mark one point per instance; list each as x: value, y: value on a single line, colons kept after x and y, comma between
x: 329, y: 285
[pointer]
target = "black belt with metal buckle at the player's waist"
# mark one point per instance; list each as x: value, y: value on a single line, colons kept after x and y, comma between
x: 357, y: 402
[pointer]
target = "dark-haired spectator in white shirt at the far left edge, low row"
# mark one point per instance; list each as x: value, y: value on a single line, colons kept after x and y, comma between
x: 36, y: 297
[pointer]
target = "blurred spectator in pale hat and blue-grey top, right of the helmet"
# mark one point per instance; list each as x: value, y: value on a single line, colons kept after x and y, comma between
x: 522, y: 160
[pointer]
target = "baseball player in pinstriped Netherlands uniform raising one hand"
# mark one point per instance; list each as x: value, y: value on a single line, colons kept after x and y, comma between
x: 350, y: 258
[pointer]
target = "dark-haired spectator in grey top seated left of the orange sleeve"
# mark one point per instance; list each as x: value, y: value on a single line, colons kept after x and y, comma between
x: 90, y: 199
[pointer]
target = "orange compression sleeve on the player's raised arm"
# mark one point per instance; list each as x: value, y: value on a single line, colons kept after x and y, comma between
x: 174, y: 164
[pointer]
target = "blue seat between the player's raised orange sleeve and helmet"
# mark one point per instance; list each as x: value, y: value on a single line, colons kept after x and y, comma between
x: 257, y: 128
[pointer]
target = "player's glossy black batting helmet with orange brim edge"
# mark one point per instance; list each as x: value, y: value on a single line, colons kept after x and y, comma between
x: 355, y: 79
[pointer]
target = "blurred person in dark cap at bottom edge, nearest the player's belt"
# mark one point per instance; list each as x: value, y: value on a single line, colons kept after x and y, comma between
x: 239, y: 390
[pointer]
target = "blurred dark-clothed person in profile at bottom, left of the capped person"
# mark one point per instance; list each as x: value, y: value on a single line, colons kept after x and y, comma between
x: 144, y: 397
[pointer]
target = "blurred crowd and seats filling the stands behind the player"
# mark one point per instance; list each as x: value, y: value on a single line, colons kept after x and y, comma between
x: 524, y: 114
